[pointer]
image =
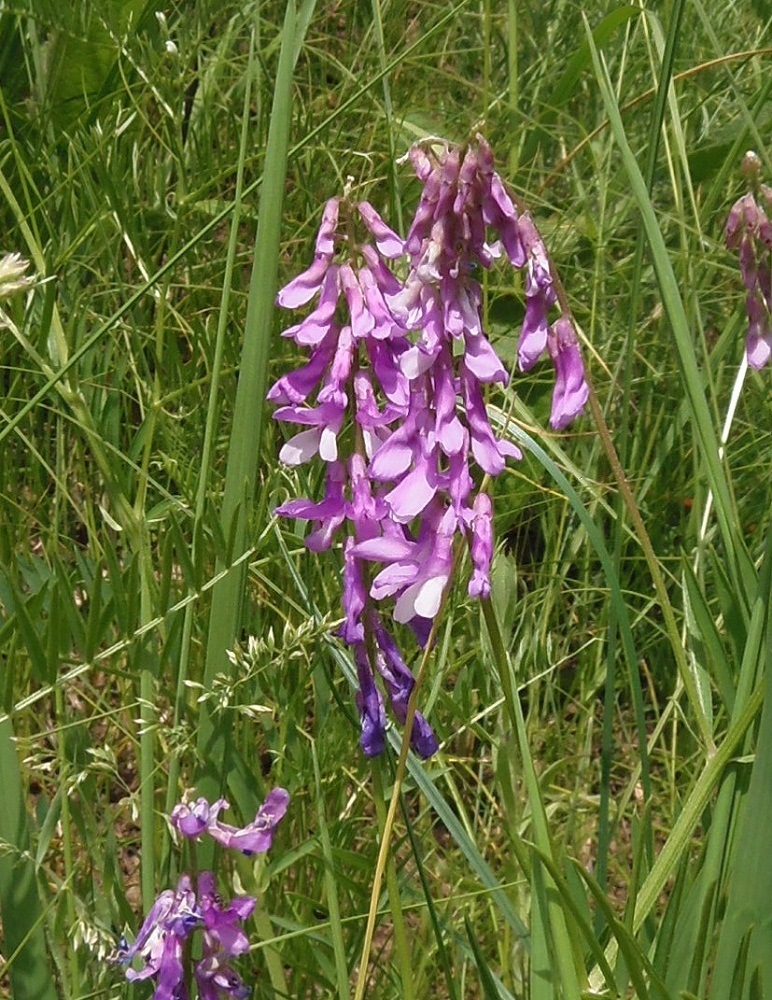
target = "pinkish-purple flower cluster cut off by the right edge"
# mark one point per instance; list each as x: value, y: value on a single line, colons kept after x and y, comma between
x: 749, y: 230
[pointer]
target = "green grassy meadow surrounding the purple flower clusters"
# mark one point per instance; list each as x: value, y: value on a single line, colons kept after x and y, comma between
x: 608, y: 835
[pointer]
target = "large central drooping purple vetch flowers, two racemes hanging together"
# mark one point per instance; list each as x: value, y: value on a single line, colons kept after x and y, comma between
x: 407, y: 360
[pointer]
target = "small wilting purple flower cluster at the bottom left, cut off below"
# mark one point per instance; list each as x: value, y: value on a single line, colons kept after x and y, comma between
x: 177, y: 914
